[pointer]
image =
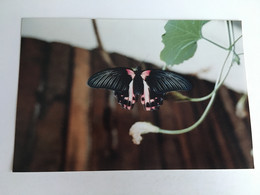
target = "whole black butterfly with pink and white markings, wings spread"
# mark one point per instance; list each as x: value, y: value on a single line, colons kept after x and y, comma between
x: 129, y: 84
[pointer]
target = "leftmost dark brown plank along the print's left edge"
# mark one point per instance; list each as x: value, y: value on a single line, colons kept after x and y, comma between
x: 33, y: 57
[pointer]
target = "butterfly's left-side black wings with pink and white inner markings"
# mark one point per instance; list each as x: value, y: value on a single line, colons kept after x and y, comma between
x: 118, y: 79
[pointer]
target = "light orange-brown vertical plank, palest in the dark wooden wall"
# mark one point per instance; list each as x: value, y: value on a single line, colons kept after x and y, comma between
x: 78, y: 128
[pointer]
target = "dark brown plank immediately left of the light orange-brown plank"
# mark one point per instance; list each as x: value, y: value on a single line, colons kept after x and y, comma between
x: 52, y: 125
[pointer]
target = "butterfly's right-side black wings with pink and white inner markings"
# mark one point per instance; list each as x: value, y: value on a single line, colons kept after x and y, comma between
x: 157, y: 83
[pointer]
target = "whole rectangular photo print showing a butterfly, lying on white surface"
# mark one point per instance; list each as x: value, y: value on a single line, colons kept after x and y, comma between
x: 118, y: 94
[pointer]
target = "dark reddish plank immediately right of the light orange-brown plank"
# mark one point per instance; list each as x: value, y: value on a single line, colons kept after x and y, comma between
x: 100, y: 151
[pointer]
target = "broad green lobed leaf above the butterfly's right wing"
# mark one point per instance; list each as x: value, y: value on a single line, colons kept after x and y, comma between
x: 180, y: 40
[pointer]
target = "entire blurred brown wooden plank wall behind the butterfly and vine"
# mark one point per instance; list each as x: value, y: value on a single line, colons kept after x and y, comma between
x: 63, y: 125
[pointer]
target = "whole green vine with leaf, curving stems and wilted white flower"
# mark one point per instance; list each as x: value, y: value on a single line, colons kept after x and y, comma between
x: 175, y: 52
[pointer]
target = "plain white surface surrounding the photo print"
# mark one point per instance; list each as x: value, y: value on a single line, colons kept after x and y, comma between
x: 124, y: 182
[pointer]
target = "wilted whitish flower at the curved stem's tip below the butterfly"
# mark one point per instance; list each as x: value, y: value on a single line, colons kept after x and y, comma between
x: 140, y: 128
